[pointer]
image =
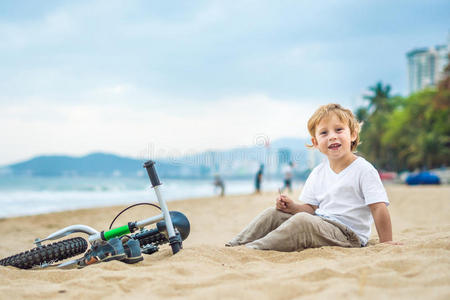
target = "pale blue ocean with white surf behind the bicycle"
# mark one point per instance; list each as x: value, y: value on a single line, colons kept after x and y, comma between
x: 21, y: 196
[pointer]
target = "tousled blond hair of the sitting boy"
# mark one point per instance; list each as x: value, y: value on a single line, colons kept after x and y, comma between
x: 345, y: 115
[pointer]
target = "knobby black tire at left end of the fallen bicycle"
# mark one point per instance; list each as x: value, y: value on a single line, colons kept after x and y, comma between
x: 46, y: 253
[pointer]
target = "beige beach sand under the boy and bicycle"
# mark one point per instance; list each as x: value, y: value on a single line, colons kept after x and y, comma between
x: 205, y: 269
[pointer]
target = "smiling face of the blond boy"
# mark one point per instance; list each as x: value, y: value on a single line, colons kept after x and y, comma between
x: 333, y: 138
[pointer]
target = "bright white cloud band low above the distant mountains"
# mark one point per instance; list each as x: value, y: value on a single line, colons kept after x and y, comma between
x: 130, y: 129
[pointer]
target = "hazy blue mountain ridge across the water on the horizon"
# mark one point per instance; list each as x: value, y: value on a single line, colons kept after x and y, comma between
x: 236, y: 162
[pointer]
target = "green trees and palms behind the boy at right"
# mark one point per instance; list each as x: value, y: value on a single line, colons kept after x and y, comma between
x: 407, y: 133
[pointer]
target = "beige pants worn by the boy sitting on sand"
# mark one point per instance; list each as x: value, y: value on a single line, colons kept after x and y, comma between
x: 276, y: 230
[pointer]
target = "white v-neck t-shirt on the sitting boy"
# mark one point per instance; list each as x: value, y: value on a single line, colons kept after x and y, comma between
x: 345, y: 197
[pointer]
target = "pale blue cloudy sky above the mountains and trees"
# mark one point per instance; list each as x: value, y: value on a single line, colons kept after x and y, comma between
x: 154, y: 78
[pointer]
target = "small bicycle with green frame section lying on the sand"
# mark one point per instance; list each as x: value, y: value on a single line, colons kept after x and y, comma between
x: 120, y: 243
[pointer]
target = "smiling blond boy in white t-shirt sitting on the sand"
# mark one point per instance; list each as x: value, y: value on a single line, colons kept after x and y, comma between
x: 340, y: 196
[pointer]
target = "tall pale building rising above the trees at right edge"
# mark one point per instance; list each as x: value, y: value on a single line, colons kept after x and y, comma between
x: 426, y: 66
